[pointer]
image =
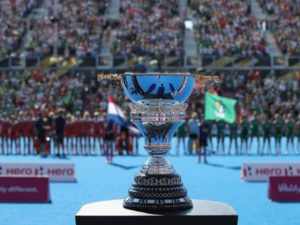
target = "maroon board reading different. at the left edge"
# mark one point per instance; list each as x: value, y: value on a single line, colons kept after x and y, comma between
x: 24, y: 189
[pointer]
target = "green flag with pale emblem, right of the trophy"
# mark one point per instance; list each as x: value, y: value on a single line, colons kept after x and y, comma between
x: 219, y: 108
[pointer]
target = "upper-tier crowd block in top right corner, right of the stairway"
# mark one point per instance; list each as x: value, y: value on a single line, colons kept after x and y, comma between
x: 285, y: 24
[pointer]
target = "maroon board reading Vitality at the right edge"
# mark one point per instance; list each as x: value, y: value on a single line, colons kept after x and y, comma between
x: 284, y: 189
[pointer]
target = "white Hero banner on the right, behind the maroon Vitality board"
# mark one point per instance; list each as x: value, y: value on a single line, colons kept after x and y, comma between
x: 260, y: 172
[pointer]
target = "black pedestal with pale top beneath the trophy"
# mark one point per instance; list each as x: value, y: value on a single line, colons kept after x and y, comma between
x: 113, y: 213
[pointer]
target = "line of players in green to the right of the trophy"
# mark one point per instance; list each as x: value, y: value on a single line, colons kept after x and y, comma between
x: 242, y: 135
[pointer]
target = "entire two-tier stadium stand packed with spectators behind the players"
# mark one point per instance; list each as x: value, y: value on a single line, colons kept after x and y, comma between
x: 50, y: 52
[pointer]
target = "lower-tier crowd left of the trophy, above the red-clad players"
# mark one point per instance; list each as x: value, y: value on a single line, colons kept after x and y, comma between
x: 38, y: 92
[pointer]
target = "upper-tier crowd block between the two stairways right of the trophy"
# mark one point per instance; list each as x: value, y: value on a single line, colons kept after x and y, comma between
x: 227, y: 28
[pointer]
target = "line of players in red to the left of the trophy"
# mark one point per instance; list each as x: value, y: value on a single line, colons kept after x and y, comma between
x: 53, y: 134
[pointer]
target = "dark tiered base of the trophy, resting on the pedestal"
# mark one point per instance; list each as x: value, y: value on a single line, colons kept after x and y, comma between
x: 159, y: 192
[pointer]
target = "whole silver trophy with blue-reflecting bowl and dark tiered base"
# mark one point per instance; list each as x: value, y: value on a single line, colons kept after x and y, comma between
x: 157, y: 109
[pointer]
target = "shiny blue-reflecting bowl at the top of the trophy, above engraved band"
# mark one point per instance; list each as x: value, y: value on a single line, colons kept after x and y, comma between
x: 158, y: 86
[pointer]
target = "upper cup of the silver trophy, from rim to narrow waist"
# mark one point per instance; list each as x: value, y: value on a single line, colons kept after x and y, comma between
x: 158, y: 108
